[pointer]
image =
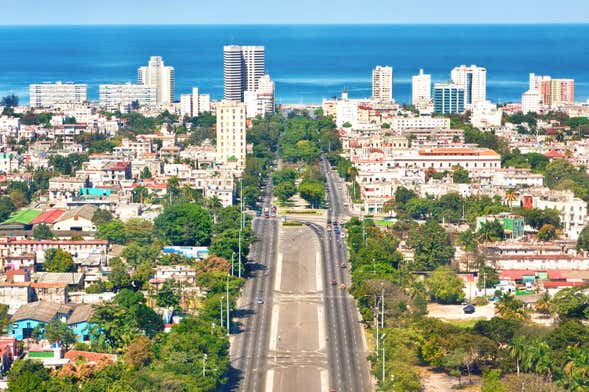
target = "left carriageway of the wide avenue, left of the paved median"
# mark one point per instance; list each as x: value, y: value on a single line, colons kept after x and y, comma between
x: 250, y: 339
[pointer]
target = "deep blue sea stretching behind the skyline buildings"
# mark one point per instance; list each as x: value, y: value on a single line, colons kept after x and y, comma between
x: 307, y: 62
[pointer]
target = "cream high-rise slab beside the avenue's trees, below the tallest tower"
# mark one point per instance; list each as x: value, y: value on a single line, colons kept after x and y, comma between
x: 231, y: 144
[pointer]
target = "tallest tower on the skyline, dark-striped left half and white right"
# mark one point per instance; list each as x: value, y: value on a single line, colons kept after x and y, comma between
x: 243, y: 66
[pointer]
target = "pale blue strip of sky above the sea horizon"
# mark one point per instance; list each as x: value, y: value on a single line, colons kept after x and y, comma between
x: 291, y: 11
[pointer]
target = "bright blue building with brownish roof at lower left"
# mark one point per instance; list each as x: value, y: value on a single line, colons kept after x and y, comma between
x: 39, y: 314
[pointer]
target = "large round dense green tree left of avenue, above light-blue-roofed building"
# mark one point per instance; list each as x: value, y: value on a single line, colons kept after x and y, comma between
x: 185, y: 224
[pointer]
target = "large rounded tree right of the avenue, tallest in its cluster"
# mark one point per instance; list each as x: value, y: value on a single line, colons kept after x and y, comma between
x: 432, y: 246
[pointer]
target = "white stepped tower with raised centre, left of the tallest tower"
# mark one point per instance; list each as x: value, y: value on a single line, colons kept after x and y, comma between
x: 156, y: 74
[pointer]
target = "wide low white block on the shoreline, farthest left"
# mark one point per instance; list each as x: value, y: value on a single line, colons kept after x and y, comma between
x: 49, y: 94
